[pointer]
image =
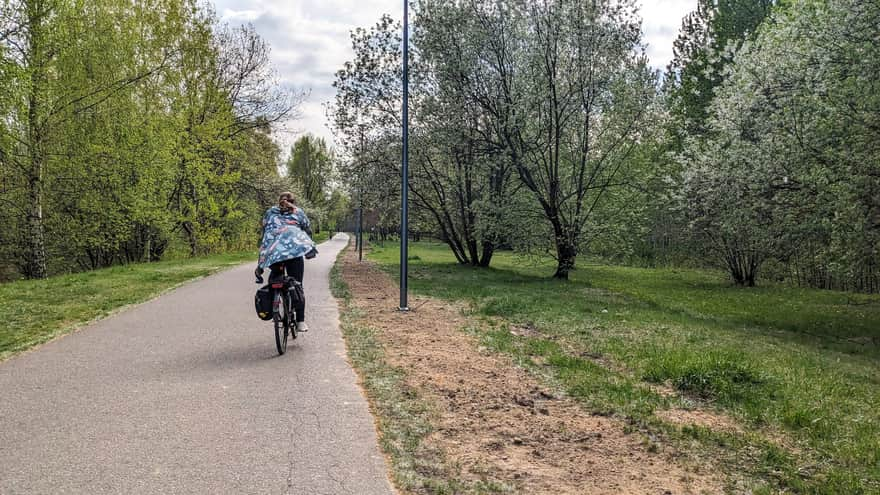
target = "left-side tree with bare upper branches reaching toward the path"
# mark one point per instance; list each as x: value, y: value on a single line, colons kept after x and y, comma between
x: 224, y: 87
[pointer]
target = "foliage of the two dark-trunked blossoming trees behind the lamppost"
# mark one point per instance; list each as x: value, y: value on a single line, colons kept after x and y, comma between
x: 527, y: 117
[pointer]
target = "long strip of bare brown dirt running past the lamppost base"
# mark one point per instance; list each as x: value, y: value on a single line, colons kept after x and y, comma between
x: 497, y: 421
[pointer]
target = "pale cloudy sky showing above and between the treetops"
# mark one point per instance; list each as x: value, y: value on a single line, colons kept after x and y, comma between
x: 309, y: 40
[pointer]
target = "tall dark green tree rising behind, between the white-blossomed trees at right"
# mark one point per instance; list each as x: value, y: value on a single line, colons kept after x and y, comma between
x: 709, y: 38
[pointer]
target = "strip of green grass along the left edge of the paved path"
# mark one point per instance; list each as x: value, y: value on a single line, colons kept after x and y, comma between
x: 35, y: 311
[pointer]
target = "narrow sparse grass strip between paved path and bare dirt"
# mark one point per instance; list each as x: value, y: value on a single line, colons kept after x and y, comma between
x: 404, y: 419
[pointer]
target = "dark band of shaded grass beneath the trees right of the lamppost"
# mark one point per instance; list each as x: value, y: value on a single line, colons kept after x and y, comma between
x: 820, y: 319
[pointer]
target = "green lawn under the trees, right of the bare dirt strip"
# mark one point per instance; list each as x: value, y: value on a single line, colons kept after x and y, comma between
x: 795, y: 363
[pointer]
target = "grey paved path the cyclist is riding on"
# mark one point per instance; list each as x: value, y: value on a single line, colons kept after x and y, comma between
x: 186, y: 394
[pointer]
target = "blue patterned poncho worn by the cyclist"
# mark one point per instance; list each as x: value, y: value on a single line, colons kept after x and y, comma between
x: 283, y: 236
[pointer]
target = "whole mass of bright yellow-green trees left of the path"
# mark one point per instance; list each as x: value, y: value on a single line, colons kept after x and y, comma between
x: 127, y: 127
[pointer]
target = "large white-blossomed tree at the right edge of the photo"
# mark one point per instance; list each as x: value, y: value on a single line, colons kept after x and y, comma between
x: 794, y: 128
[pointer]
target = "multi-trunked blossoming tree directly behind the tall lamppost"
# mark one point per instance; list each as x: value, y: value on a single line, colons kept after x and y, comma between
x: 456, y: 174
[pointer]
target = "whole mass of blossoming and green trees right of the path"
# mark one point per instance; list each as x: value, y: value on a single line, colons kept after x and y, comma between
x: 539, y: 126
